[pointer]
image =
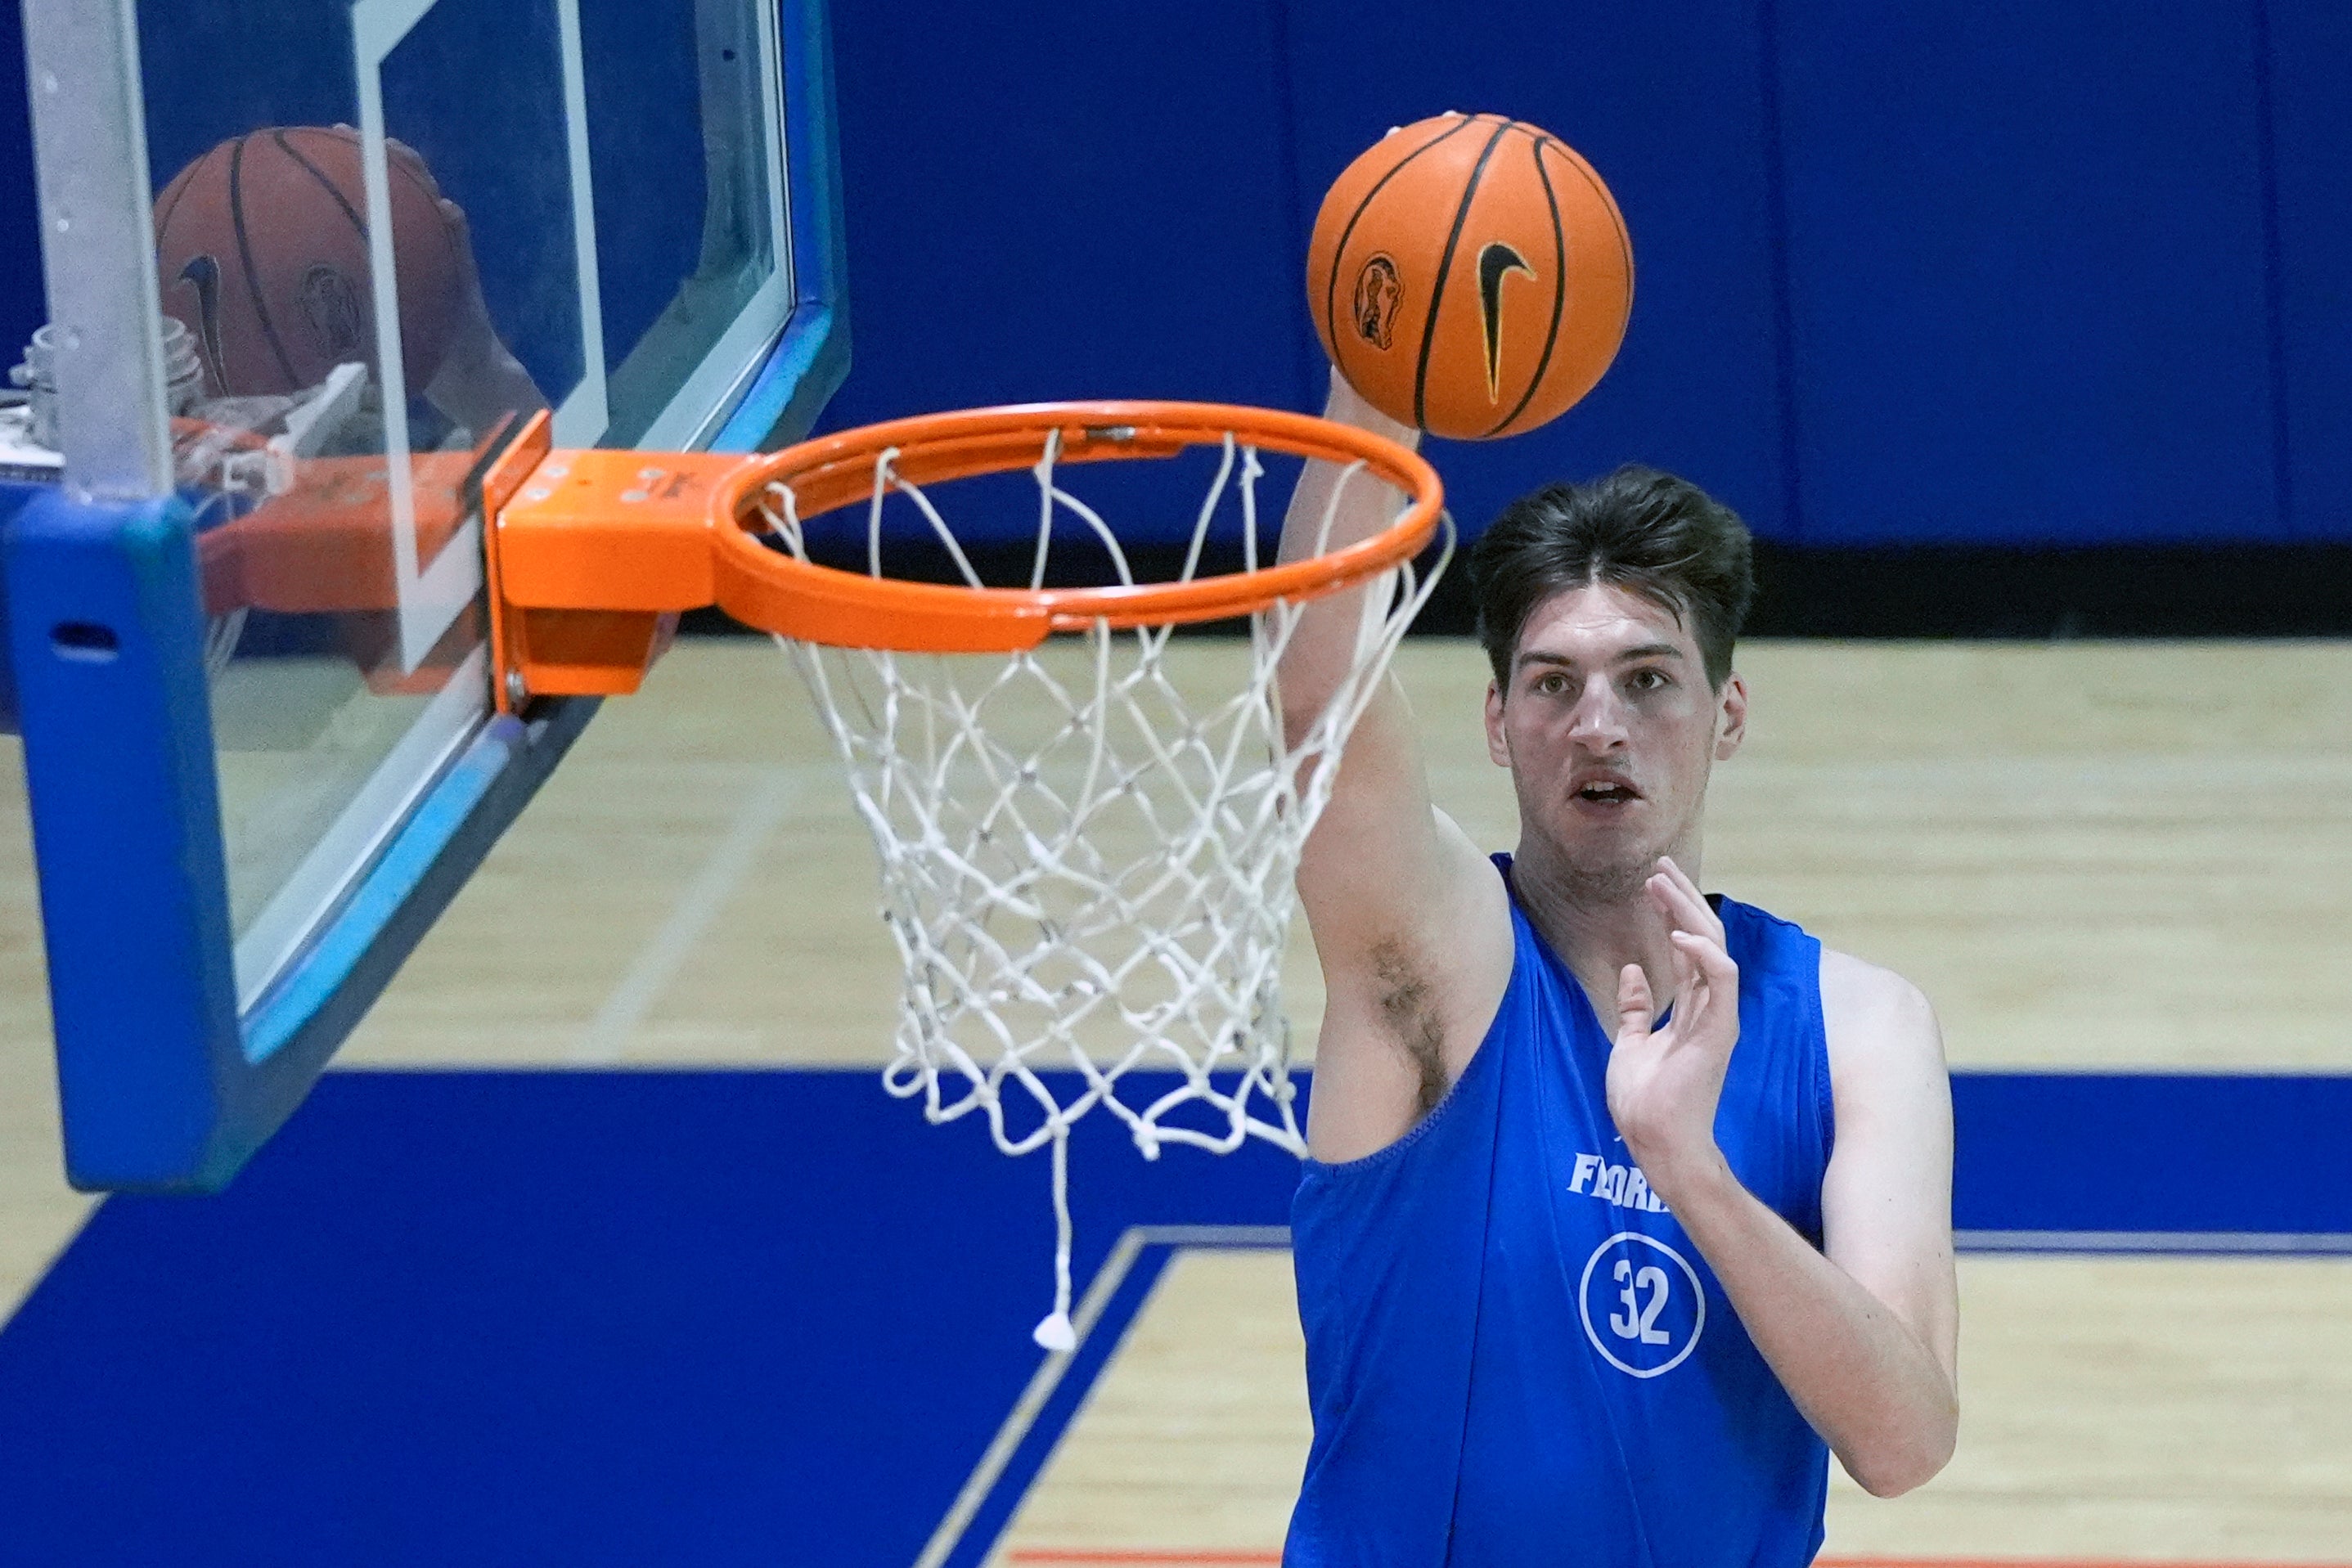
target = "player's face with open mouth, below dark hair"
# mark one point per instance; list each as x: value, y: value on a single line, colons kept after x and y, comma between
x: 1610, y: 732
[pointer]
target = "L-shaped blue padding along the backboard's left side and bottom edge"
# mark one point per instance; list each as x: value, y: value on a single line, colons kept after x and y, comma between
x: 161, y: 1083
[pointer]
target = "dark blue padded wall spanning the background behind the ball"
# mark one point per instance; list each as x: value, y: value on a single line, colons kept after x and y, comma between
x: 1958, y: 274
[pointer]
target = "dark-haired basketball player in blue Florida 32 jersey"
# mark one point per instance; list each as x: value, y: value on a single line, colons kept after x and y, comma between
x: 1624, y: 1205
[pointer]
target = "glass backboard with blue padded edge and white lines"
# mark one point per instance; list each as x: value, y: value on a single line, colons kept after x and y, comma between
x: 382, y: 234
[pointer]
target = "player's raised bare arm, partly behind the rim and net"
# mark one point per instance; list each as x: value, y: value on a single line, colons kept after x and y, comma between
x: 1410, y: 920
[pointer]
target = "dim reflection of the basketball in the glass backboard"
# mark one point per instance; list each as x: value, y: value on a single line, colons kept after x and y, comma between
x: 262, y: 255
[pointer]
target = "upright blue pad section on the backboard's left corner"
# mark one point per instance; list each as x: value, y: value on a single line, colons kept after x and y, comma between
x: 126, y: 831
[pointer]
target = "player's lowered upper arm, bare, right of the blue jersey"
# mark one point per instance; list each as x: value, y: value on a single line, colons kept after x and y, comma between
x: 1887, y: 1195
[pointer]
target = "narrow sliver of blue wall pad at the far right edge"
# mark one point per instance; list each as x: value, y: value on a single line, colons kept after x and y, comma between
x: 2311, y: 79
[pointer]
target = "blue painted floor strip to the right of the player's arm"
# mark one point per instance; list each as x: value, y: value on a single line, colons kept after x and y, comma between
x: 2170, y: 1153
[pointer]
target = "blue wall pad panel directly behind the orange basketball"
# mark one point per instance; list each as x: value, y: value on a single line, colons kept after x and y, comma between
x: 1666, y: 102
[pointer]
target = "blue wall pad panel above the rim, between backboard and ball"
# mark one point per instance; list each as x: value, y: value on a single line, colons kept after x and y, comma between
x: 1048, y: 203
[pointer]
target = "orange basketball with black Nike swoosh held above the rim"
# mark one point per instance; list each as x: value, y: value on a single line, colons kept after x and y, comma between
x: 1471, y: 276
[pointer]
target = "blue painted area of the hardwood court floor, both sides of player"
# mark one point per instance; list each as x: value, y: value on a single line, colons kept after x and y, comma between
x: 749, y: 1318
